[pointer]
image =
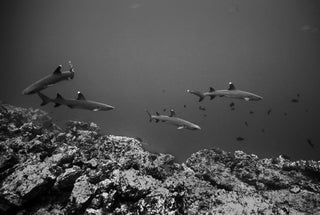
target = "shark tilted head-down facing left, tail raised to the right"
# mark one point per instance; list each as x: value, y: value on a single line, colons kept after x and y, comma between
x: 50, y: 80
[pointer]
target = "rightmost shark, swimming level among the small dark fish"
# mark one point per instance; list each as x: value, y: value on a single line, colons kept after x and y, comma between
x: 231, y: 92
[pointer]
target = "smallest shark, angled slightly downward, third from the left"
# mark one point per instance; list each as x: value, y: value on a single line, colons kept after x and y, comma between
x: 173, y: 120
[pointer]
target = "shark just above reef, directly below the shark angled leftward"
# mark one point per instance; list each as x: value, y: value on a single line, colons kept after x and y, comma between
x: 80, y: 102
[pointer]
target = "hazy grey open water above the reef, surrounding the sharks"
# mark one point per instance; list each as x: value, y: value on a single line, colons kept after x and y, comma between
x: 144, y: 54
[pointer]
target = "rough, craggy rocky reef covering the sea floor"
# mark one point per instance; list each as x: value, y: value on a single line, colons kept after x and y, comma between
x: 77, y: 170
